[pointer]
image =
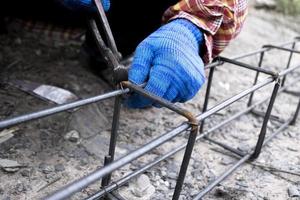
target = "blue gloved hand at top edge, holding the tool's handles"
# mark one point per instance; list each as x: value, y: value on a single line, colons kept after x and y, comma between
x: 84, y: 4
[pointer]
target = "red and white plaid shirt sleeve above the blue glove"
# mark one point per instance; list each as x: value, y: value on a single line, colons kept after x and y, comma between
x: 221, y: 21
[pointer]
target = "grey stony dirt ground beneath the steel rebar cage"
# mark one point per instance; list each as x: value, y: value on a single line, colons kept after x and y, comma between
x: 49, y: 160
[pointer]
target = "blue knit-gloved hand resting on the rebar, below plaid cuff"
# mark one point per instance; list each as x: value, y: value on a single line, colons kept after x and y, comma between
x: 168, y: 60
